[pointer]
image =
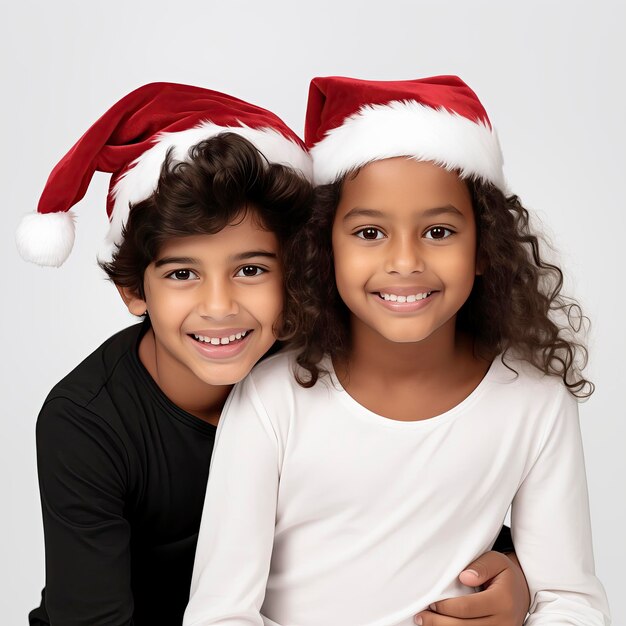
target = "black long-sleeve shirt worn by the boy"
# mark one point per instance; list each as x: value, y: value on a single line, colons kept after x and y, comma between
x: 122, y: 475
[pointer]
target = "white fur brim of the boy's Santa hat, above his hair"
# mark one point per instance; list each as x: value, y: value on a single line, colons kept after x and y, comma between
x: 141, y: 179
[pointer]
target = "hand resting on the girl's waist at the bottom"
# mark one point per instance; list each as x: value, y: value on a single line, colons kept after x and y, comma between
x: 503, y: 602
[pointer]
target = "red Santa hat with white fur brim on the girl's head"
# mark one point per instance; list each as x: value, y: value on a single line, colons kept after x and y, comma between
x: 351, y: 122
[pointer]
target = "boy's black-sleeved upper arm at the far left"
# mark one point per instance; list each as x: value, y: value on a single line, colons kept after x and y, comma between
x: 82, y: 479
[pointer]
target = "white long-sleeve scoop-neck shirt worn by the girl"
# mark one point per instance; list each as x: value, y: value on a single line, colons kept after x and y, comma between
x: 320, y: 512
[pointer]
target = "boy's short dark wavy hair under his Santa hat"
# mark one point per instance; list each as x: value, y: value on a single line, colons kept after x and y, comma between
x: 224, y: 178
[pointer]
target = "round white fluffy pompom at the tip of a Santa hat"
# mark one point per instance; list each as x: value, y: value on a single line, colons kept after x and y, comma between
x: 46, y: 238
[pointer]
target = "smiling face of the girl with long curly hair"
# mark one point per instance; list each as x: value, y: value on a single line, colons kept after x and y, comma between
x: 404, y: 245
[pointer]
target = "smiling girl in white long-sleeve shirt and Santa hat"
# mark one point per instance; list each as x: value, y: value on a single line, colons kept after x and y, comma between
x: 437, y: 383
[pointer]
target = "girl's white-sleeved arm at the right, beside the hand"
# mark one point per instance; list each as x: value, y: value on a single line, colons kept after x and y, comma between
x: 552, y: 531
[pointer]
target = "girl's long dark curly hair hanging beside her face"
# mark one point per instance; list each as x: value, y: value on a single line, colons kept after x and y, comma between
x: 515, y: 305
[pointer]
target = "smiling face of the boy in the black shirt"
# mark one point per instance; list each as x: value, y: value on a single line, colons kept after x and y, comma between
x: 213, y: 301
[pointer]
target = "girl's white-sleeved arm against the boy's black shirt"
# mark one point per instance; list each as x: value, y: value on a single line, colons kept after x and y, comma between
x: 237, y: 529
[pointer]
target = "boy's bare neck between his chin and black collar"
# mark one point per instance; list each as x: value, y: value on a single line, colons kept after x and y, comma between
x: 187, y: 392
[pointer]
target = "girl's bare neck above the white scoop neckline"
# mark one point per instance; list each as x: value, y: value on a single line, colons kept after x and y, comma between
x: 410, y: 381
